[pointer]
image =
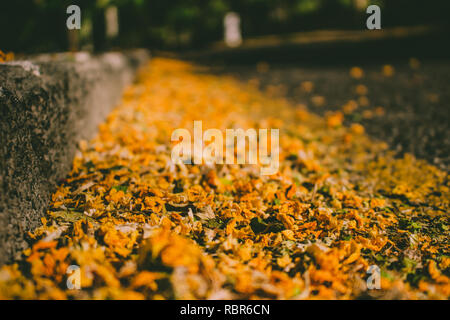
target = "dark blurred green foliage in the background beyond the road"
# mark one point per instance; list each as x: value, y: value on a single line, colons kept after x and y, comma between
x: 39, y: 25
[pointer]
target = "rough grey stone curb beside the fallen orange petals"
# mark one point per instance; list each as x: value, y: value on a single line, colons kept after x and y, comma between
x: 47, y: 105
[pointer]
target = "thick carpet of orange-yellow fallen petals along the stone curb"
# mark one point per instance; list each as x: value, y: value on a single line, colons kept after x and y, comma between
x: 142, y: 227
